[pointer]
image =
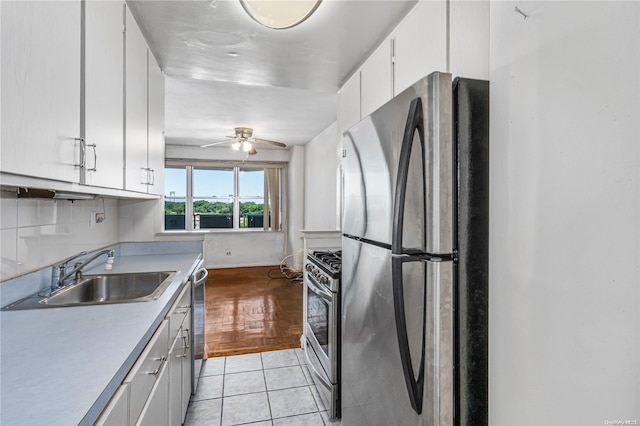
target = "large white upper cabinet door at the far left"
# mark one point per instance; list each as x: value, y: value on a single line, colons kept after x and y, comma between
x: 41, y: 88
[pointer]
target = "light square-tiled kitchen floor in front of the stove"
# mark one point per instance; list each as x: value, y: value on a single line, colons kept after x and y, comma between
x: 268, y: 388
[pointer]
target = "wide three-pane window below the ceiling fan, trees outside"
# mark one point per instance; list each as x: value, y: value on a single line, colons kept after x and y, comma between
x: 222, y: 196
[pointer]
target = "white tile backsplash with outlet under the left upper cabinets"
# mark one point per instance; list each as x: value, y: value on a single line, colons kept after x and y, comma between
x: 38, y: 232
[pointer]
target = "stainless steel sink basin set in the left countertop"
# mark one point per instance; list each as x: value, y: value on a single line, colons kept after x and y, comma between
x: 102, y: 289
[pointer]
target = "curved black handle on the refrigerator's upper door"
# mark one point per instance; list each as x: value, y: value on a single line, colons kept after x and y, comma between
x: 415, y: 121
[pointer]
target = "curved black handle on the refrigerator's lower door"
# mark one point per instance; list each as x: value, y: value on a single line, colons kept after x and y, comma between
x: 415, y: 385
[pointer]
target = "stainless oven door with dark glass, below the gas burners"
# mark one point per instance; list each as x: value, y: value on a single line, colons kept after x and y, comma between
x: 321, y: 329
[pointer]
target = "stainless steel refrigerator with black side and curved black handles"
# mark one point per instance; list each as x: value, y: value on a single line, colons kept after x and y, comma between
x: 415, y: 258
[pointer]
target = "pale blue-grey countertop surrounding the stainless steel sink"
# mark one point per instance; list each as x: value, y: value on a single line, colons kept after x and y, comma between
x: 60, y: 366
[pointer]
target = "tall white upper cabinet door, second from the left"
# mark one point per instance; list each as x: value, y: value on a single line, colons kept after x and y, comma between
x: 104, y: 85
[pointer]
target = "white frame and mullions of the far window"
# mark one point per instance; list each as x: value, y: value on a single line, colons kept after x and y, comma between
x: 236, y: 168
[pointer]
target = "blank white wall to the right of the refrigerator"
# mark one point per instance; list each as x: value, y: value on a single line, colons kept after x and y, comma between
x: 564, y: 228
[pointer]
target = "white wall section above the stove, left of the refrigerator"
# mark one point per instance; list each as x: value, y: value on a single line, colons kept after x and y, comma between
x: 321, y: 170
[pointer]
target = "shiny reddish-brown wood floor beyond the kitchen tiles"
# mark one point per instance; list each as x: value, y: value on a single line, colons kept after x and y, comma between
x: 249, y: 311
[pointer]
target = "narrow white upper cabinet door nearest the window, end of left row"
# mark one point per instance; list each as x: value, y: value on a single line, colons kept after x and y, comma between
x: 156, y: 127
